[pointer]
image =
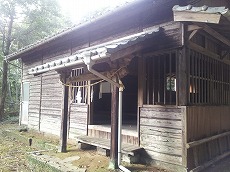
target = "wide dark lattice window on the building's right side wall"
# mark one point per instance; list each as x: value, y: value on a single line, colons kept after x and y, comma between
x: 209, y: 80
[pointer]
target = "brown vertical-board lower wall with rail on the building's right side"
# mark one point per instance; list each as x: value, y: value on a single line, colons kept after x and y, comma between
x: 204, y: 122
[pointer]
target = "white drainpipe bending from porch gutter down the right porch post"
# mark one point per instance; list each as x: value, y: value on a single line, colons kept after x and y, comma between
x: 88, y: 61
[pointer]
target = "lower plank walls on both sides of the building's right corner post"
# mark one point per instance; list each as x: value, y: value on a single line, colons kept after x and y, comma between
x: 191, y: 137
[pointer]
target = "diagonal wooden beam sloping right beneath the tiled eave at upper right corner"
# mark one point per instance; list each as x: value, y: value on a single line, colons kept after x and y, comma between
x: 215, y: 34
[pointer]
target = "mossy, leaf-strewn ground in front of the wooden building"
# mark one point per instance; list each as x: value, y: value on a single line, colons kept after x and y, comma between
x: 14, y: 148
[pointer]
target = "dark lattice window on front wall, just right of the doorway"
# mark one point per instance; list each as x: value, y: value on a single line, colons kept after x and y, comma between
x: 161, y: 79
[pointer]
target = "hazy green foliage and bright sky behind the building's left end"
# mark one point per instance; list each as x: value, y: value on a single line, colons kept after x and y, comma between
x: 23, y: 22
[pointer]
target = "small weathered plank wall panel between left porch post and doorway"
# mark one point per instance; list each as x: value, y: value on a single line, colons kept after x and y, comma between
x: 77, y: 120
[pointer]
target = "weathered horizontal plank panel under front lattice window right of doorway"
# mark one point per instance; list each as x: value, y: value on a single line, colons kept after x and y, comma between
x: 161, y: 133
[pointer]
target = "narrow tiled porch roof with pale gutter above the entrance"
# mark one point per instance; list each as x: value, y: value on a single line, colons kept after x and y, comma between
x: 97, y: 52
